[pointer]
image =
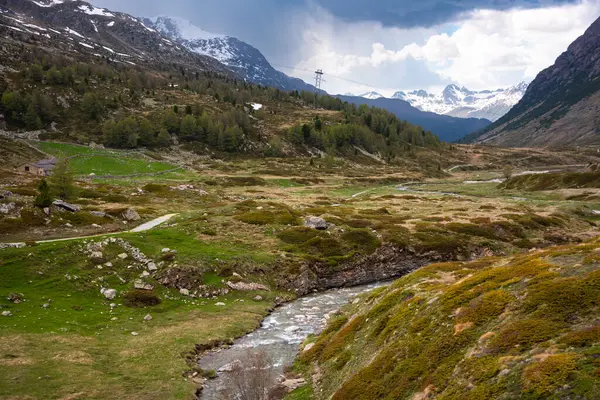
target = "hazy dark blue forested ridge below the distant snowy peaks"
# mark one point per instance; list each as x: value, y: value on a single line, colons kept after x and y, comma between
x: 447, y: 128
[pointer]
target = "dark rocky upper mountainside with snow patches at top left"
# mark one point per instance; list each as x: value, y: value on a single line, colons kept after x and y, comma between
x: 77, y: 27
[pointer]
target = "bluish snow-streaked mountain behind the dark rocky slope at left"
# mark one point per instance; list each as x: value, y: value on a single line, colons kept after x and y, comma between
x: 240, y: 57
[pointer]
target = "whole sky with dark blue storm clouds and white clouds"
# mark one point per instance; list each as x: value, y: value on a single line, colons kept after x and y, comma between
x: 390, y: 45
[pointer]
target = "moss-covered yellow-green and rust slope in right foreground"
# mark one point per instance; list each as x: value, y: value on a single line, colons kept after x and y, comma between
x: 522, y: 327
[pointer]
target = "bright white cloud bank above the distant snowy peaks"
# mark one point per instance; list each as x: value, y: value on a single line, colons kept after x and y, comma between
x: 485, y: 49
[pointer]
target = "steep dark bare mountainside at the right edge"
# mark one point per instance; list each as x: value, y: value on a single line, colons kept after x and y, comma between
x: 562, y: 104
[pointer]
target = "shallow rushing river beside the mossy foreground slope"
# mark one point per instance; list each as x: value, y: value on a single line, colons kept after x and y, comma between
x: 281, y: 333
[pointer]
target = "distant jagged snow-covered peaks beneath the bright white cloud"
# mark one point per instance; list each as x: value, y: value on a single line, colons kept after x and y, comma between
x: 464, y: 103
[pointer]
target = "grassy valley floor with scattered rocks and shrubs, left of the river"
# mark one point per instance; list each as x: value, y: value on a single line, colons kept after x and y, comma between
x: 238, y: 232
